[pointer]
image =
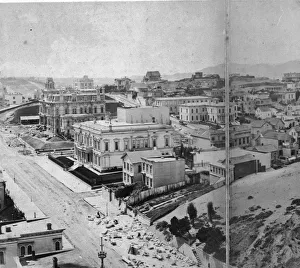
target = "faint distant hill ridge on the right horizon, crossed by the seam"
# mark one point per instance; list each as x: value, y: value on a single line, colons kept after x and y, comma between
x: 267, y: 70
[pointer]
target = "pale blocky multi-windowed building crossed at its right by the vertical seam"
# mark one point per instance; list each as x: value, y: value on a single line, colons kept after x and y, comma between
x: 212, y: 112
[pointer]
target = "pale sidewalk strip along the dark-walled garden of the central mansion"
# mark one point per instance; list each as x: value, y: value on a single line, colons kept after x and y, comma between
x: 72, y: 182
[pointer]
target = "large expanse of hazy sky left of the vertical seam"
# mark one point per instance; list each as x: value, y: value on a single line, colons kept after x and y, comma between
x: 110, y: 39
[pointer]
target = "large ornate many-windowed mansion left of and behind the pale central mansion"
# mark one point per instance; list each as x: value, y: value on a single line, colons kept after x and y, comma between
x: 60, y: 109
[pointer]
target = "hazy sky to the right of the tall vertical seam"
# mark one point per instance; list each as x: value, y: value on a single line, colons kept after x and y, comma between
x: 265, y: 31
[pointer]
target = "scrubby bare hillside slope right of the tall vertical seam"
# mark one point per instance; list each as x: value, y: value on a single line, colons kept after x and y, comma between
x: 265, y: 222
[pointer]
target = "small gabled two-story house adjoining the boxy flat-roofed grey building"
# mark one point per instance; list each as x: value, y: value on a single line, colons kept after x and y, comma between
x: 132, y: 164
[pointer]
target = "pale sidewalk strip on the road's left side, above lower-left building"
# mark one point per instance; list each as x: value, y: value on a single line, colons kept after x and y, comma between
x: 21, y: 200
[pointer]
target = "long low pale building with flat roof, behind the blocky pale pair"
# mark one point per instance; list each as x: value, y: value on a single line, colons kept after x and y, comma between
x: 174, y: 102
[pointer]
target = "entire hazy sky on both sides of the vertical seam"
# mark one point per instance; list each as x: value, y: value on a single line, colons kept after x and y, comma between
x: 127, y: 38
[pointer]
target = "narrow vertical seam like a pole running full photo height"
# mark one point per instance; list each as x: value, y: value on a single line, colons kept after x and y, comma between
x: 227, y: 131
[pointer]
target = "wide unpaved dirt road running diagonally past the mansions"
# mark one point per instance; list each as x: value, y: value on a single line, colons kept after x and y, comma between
x: 65, y: 208
